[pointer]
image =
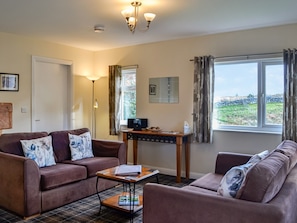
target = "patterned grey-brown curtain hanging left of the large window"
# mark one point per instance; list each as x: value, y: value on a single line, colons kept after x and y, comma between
x: 203, y: 98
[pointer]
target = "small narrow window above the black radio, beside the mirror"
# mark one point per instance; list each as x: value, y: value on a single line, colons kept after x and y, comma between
x: 128, y: 100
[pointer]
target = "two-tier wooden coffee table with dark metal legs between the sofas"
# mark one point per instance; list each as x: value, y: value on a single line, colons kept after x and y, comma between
x: 129, y: 183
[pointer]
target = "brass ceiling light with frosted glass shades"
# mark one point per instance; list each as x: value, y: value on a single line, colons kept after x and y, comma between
x: 131, y: 16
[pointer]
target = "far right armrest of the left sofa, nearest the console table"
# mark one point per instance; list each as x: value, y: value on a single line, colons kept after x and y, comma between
x: 110, y: 148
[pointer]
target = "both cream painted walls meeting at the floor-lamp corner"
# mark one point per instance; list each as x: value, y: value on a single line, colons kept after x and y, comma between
x: 170, y: 58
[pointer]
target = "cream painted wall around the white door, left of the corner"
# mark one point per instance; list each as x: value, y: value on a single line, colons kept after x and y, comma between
x: 16, y: 57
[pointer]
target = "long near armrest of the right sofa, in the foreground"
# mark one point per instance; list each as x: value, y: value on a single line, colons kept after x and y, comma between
x: 163, y: 203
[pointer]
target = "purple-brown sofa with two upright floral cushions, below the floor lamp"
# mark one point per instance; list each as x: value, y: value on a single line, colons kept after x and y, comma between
x: 27, y: 189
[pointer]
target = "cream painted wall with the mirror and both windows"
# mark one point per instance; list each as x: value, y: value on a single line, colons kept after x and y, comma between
x: 171, y: 58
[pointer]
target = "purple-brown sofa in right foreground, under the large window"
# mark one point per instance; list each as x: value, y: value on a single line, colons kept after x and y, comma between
x: 266, y: 194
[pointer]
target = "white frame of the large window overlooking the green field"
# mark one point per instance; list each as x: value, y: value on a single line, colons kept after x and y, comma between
x: 262, y: 63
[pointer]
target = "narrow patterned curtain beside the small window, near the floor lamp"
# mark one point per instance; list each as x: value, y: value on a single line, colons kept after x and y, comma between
x: 114, y: 99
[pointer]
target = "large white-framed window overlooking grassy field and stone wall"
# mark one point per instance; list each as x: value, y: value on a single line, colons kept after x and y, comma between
x: 248, y: 95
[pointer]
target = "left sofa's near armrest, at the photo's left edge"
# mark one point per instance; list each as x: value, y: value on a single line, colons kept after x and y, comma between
x: 20, y: 185
